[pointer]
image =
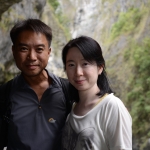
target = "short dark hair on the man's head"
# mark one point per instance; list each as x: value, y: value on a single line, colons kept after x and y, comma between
x: 34, y: 25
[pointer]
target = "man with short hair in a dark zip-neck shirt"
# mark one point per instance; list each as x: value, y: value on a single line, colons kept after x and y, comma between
x: 38, y: 105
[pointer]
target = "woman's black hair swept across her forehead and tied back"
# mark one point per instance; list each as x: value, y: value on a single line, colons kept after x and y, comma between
x: 91, y: 52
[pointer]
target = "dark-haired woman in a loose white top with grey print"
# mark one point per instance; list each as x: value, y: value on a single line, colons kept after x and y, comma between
x: 98, y: 120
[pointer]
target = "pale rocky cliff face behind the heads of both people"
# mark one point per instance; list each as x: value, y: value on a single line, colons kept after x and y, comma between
x: 116, y: 24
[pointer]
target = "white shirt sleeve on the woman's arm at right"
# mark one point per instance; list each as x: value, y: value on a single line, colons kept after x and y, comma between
x: 118, y: 125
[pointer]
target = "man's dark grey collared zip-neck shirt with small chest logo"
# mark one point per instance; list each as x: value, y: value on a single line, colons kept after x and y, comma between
x: 36, y: 125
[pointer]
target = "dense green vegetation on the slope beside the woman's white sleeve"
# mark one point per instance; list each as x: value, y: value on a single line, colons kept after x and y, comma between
x: 139, y: 94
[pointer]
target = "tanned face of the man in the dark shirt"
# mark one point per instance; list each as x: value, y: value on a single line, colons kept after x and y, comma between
x: 31, y: 52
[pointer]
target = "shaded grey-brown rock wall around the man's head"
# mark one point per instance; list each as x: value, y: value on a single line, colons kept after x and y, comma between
x: 13, y: 11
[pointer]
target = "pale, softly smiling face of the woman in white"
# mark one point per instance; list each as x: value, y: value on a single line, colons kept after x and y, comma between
x: 81, y: 74
